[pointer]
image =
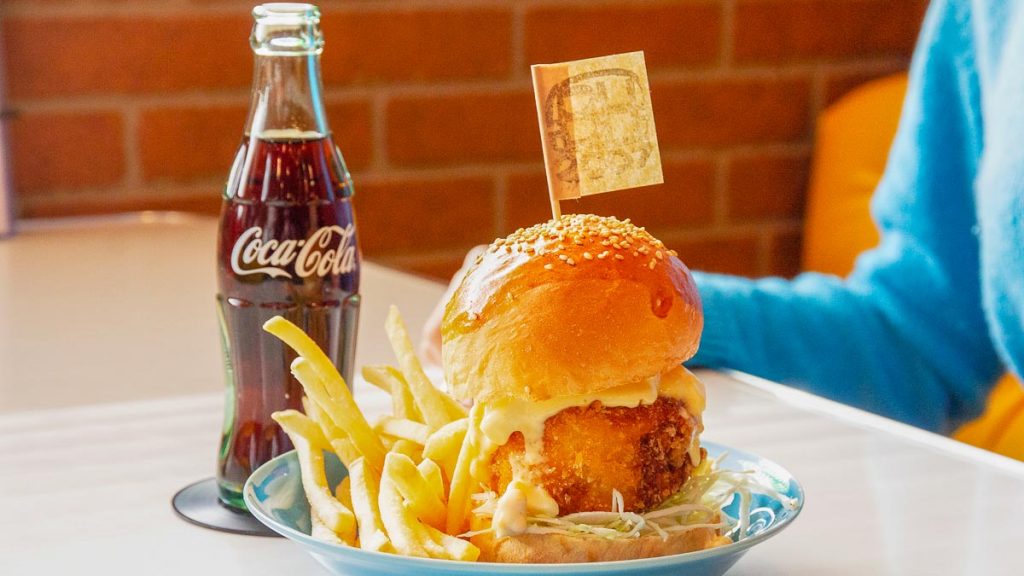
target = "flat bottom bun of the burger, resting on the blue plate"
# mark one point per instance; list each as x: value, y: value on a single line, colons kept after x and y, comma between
x: 559, y: 549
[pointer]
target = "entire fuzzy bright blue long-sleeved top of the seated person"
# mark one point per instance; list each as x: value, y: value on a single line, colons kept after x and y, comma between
x: 927, y: 321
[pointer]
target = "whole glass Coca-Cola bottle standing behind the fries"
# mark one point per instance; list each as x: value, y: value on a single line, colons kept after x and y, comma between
x: 287, y: 243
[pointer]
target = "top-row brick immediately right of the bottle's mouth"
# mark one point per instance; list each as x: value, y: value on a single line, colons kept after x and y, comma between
x: 416, y: 46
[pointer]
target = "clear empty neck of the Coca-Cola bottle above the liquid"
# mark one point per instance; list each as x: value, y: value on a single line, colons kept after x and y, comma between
x: 286, y: 99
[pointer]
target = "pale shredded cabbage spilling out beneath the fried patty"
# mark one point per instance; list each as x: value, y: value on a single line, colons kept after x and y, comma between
x: 702, y: 499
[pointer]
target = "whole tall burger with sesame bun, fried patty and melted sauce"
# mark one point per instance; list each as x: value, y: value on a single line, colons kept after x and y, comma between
x: 571, y: 338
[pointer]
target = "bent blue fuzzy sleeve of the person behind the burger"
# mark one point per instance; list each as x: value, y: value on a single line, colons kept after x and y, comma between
x: 905, y: 336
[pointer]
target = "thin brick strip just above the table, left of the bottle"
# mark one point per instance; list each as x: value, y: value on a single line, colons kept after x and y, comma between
x: 197, y: 200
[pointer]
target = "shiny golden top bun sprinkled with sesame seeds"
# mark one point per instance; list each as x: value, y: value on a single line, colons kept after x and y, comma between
x: 574, y: 306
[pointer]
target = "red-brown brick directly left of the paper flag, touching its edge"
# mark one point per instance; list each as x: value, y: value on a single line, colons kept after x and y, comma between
x: 475, y: 128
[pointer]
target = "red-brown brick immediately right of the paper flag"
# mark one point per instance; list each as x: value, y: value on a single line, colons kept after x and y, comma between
x: 719, y: 113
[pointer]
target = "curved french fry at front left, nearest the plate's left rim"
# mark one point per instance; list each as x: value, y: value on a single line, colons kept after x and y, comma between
x: 309, y: 441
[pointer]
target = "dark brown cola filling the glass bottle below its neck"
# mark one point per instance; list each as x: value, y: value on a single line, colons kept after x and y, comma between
x: 287, y: 248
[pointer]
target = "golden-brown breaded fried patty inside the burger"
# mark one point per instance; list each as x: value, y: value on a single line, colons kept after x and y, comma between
x: 589, y: 451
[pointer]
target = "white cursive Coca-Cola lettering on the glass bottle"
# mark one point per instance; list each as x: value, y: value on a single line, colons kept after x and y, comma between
x: 329, y: 251
